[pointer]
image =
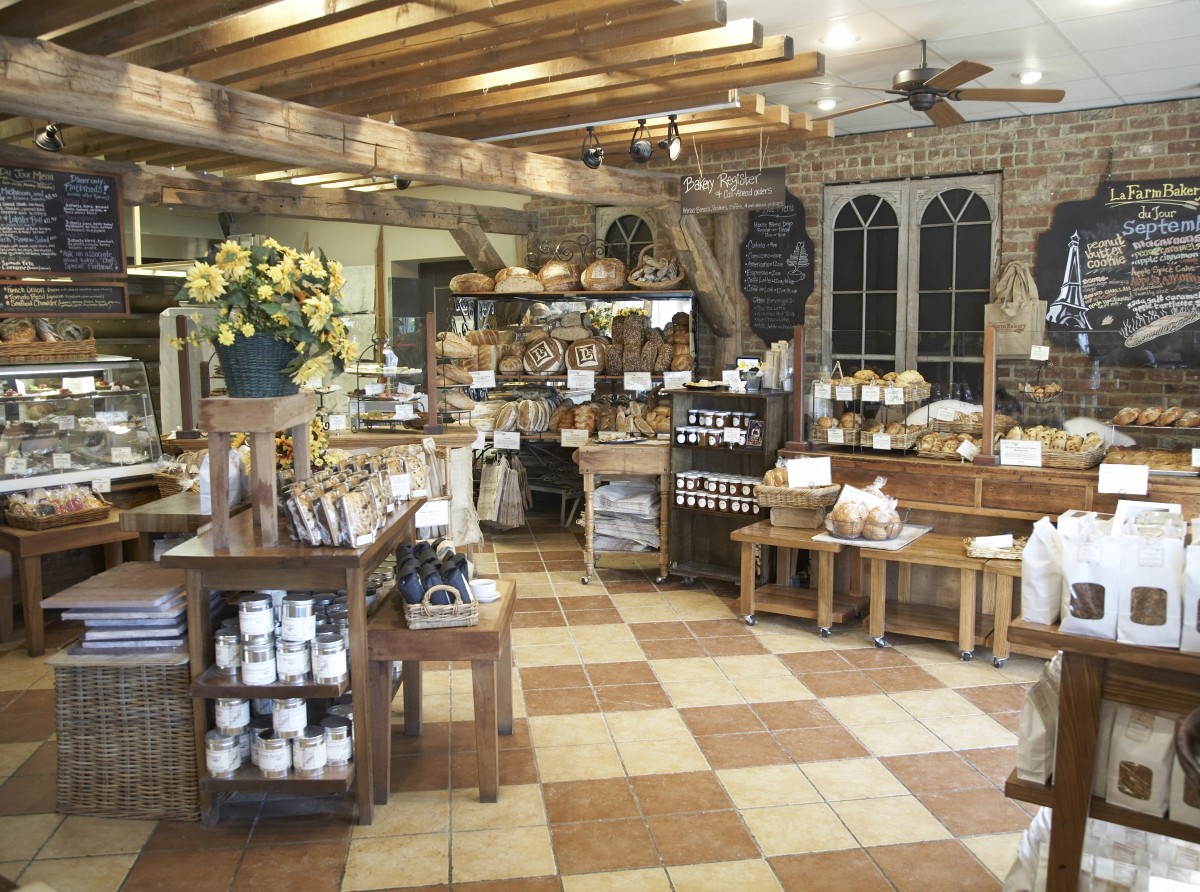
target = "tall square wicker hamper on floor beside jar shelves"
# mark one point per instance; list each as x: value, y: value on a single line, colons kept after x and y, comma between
x: 125, y: 738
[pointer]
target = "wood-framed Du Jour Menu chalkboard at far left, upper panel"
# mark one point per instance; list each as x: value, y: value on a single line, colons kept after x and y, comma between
x: 63, y: 223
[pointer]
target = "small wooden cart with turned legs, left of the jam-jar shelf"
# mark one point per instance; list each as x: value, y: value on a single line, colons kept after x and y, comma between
x: 616, y: 462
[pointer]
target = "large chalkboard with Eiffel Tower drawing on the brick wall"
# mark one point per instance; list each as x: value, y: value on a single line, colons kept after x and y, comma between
x: 1127, y: 261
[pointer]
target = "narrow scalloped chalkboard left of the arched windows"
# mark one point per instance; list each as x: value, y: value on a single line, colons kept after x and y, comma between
x: 777, y: 270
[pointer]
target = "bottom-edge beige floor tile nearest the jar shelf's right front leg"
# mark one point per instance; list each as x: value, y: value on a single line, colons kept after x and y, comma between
x: 395, y: 863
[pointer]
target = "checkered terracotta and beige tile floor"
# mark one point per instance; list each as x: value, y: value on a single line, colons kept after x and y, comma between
x: 661, y: 745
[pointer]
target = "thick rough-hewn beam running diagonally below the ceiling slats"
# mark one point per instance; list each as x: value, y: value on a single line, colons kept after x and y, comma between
x: 41, y: 80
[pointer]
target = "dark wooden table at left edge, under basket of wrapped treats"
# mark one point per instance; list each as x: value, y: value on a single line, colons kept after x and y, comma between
x: 28, y: 548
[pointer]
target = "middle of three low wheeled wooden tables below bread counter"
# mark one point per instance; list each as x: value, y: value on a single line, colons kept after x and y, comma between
x: 927, y: 621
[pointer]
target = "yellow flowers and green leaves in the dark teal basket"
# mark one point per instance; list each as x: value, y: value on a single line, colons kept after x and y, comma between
x: 269, y: 289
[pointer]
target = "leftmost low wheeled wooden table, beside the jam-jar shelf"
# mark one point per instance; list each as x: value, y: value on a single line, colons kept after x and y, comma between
x: 823, y: 604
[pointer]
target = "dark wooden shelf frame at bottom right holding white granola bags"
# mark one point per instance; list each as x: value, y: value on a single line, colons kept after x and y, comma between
x: 1095, y: 669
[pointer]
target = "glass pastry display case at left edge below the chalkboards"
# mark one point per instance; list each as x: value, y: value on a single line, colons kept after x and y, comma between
x: 76, y: 423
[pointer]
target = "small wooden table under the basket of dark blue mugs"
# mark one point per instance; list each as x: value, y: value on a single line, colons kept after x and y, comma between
x: 489, y: 646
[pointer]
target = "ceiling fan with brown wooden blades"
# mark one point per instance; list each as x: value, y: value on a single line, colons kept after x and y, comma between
x: 932, y: 91
